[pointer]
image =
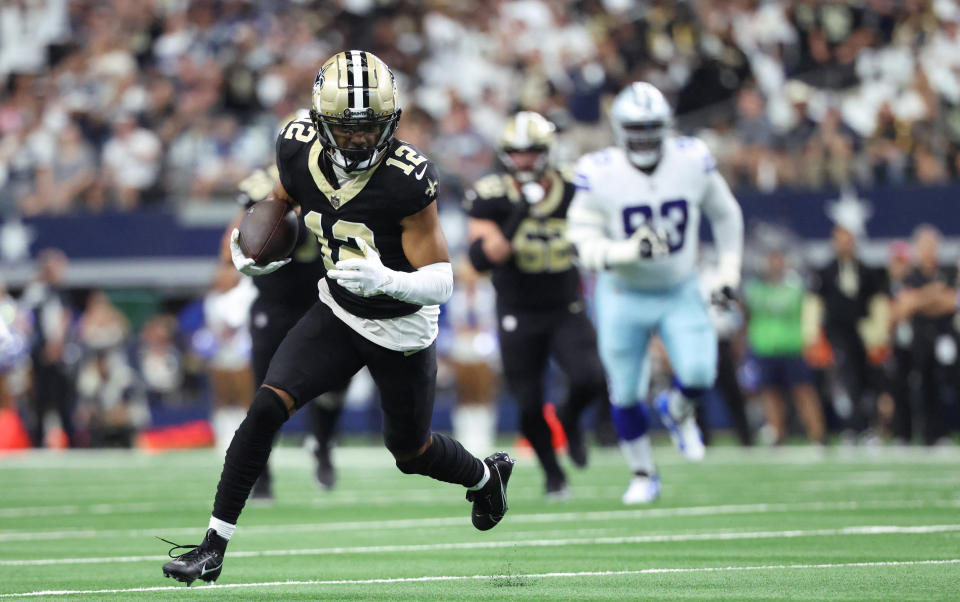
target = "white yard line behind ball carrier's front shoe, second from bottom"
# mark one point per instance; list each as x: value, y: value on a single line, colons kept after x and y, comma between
x: 526, y: 543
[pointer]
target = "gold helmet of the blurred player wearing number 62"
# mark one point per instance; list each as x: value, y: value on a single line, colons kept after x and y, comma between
x: 524, y: 145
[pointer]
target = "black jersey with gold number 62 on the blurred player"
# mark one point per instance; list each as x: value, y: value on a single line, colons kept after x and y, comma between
x: 540, y: 274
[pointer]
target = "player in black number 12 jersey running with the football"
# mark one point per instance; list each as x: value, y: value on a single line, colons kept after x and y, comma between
x: 371, y: 200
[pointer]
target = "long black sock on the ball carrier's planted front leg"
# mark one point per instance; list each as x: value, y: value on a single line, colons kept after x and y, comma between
x: 248, y: 454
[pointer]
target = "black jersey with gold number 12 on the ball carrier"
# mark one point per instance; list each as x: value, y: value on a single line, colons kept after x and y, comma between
x: 370, y: 207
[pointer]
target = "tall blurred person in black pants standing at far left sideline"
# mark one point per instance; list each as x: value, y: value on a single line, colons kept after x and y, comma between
x: 52, y: 385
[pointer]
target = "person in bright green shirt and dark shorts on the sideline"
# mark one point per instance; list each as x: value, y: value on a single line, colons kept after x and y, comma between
x: 775, y: 303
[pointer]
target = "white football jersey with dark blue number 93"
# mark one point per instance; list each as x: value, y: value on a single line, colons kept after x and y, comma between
x: 671, y: 200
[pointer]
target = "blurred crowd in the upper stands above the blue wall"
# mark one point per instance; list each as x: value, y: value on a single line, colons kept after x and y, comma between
x: 123, y: 103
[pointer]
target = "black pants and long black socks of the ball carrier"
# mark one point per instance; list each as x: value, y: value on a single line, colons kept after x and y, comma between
x: 315, y: 357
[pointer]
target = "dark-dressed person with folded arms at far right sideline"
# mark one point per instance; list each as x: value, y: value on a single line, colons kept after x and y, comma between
x: 929, y: 300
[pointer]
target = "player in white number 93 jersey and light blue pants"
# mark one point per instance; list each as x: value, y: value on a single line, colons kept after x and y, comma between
x: 636, y: 219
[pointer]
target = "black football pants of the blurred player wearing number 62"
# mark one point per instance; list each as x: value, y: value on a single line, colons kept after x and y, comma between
x: 528, y: 338
